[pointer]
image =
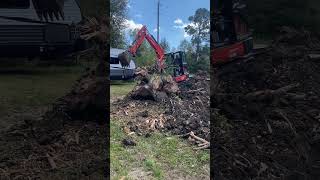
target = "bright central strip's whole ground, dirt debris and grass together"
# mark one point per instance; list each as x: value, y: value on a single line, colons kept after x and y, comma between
x: 155, y: 127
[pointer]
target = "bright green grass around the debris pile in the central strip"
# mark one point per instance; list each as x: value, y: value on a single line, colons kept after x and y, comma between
x: 160, y: 156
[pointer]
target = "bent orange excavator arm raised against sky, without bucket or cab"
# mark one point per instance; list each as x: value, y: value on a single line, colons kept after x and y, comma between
x: 144, y: 34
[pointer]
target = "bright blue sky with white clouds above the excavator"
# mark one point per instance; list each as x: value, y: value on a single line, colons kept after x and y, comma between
x: 173, y: 17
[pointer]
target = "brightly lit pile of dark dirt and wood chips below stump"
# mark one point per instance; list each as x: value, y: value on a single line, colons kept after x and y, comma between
x: 179, y: 113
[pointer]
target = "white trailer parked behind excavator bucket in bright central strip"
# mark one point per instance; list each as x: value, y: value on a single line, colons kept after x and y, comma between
x: 117, y: 72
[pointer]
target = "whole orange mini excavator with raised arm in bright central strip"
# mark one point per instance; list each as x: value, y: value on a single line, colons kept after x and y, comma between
x: 177, y: 59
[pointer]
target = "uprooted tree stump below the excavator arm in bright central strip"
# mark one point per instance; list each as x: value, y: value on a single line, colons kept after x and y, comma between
x: 154, y: 87
